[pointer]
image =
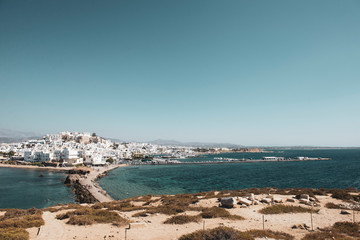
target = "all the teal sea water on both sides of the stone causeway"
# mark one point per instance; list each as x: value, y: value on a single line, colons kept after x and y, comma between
x: 23, y: 188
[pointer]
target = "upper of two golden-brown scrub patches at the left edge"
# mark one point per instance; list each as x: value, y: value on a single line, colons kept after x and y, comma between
x: 19, y: 218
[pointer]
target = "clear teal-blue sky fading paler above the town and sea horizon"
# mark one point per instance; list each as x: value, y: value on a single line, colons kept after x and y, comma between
x: 247, y: 72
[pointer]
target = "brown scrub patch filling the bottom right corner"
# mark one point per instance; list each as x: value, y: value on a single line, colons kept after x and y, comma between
x: 340, y: 230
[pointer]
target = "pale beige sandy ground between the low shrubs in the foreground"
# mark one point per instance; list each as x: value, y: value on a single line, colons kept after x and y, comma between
x: 152, y: 227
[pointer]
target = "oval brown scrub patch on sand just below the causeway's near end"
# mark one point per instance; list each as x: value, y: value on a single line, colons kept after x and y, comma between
x: 89, y: 216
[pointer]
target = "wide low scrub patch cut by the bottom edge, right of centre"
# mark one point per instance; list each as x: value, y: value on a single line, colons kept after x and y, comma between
x: 226, y: 233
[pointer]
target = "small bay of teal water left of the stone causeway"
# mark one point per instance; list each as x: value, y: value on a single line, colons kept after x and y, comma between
x: 23, y: 188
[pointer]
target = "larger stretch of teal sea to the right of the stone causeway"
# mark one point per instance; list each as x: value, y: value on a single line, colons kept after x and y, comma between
x: 341, y: 172
